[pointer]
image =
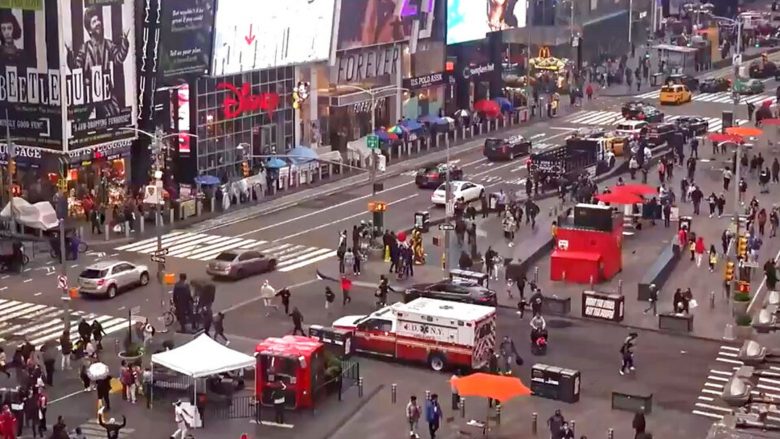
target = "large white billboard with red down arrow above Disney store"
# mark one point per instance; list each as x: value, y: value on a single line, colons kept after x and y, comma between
x: 278, y: 33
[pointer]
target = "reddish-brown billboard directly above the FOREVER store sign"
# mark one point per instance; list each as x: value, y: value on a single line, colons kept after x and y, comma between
x: 364, y: 23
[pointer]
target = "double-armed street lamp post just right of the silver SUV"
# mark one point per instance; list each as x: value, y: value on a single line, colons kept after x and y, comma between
x: 157, y: 144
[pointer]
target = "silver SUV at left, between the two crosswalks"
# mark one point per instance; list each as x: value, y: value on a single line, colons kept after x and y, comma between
x: 107, y: 278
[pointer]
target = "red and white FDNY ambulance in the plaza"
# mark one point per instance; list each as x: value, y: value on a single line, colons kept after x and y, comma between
x: 440, y: 333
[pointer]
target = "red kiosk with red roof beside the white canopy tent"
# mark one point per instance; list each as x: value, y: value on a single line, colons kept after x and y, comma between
x: 298, y: 362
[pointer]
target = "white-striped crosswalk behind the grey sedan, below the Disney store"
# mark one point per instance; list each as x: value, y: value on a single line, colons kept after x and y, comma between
x: 205, y: 247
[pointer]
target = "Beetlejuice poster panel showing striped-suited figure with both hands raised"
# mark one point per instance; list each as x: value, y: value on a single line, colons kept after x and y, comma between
x: 101, y: 76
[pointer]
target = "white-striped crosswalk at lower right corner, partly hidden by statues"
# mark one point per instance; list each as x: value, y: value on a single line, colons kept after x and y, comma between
x: 709, y: 403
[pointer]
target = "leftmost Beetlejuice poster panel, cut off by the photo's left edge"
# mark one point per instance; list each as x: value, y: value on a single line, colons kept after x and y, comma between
x: 30, y: 83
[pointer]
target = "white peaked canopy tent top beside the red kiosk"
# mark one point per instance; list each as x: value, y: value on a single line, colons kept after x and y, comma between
x: 203, y: 357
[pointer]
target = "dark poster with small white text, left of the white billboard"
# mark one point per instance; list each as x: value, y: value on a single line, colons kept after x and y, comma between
x: 185, y: 37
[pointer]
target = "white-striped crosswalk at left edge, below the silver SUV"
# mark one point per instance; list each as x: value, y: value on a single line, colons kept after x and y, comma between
x: 41, y: 323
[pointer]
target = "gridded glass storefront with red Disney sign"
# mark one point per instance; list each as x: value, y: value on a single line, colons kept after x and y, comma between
x: 261, y: 122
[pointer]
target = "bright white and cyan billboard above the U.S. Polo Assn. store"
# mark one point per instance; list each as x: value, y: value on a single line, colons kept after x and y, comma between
x: 469, y: 20
